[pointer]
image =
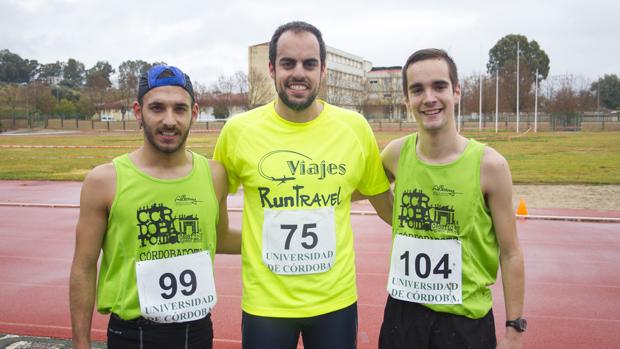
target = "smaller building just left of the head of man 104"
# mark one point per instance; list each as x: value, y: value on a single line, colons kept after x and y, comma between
x: 385, y: 99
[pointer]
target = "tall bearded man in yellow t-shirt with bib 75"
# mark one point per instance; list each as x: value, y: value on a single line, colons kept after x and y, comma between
x: 299, y: 160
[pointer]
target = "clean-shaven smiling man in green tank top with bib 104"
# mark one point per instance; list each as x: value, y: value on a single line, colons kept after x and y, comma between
x: 453, y: 225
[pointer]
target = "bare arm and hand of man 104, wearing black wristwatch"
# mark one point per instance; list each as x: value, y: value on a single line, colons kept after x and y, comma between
x: 496, y: 183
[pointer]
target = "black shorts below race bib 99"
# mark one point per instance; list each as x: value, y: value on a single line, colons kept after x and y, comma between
x: 145, y: 334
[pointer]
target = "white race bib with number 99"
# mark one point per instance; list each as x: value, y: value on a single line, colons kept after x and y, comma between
x: 177, y: 289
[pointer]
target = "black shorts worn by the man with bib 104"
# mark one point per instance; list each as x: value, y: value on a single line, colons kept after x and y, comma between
x: 411, y: 325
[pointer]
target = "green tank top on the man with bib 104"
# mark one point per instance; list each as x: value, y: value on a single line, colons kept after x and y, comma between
x: 445, y: 201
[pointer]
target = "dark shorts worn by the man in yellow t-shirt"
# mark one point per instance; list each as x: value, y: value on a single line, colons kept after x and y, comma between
x: 335, y: 330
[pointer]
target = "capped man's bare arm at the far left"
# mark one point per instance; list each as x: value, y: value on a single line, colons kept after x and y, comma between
x: 95, y: 199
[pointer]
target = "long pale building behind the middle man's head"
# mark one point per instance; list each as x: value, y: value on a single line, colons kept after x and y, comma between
x: 343, y: 85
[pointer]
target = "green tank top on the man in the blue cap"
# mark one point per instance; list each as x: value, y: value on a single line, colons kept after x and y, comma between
x: 152, y: 219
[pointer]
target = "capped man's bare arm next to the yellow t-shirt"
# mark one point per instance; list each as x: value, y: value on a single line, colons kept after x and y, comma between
x: 228, y: 239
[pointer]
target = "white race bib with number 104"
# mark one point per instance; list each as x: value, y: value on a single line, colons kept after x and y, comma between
x: 426, y: 271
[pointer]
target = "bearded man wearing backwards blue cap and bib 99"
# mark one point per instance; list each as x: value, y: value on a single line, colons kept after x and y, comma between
x: 157, y: 214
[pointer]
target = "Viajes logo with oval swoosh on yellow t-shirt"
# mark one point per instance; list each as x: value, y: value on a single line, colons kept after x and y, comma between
x: 286, y: 165
